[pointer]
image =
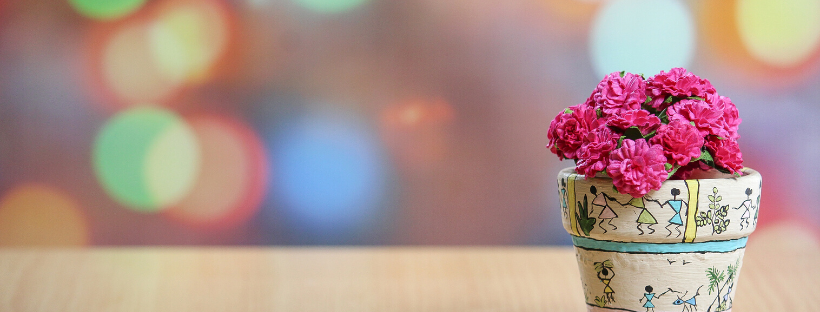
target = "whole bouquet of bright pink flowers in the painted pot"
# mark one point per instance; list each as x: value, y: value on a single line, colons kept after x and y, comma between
x: 641, y: 132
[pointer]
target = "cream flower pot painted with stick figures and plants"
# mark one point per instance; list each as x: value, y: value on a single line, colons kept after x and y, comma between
x: 679, y: 248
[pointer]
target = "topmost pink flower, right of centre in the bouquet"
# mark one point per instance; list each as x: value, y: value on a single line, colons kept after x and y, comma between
x: 677, y: 82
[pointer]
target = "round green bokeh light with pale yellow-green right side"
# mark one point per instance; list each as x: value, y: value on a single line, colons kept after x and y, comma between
x: 146, y: 158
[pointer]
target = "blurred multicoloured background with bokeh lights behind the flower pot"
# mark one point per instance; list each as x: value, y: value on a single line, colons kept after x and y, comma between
x: 298, y: 122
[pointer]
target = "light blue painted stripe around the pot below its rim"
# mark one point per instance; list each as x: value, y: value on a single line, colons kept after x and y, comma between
x: 714, y: 246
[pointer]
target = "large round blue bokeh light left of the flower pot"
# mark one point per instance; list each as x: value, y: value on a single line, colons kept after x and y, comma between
x: 330, y: 173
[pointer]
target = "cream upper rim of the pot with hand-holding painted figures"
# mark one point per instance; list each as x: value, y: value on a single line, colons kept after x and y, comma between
x: 694, y: 204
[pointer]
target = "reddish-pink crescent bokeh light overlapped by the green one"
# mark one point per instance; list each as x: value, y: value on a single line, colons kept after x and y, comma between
x: 233, y: 178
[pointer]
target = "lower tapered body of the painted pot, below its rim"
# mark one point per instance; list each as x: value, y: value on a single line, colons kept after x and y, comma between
x: 634, y: 279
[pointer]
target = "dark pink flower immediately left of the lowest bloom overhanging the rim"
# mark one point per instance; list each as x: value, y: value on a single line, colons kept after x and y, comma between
x: 593, y: 156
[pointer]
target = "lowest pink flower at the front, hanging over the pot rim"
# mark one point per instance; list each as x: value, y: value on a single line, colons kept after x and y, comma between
x: 637, y: 167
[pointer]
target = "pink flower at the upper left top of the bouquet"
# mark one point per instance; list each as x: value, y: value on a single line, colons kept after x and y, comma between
x: 615, y: 93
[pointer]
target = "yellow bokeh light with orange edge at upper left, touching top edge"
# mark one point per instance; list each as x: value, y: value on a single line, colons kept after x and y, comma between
x: 187, y: 38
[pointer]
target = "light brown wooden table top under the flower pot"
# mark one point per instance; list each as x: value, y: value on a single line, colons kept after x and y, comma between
x: 778, y: 275
